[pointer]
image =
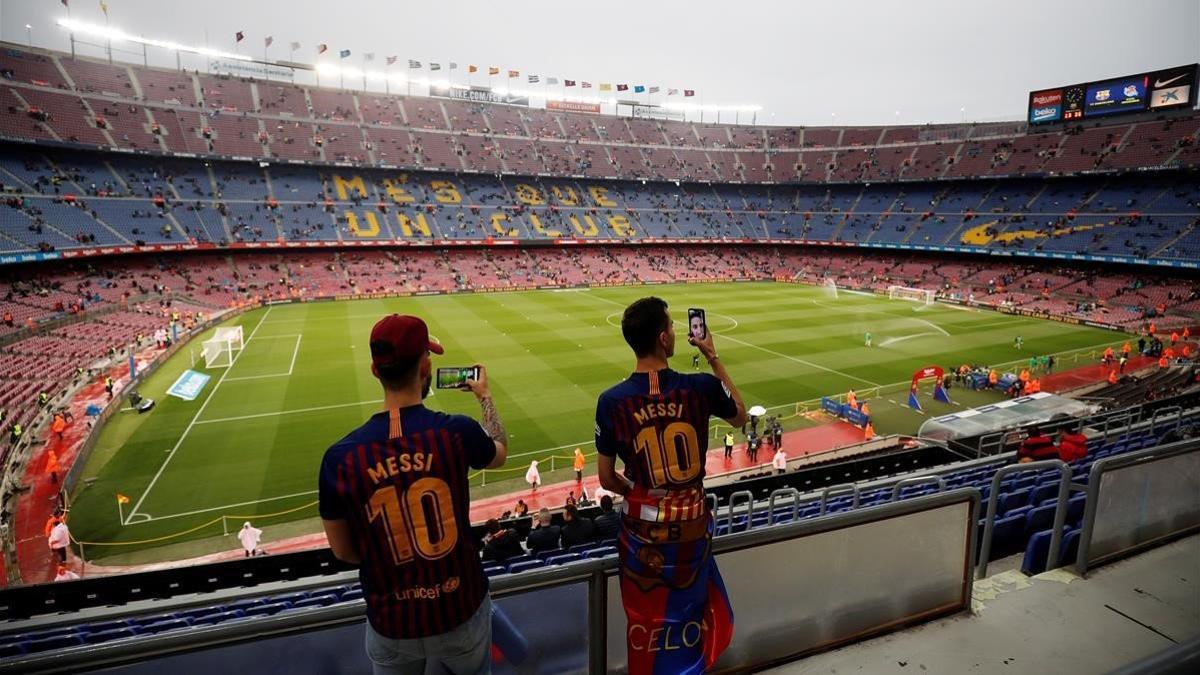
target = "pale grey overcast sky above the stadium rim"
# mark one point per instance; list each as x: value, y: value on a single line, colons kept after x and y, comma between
x: 848, y: 62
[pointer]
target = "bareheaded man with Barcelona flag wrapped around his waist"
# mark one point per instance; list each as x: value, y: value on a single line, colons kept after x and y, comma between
x: 679, y: 616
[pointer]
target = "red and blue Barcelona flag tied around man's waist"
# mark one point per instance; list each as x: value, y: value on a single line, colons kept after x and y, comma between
x: 679, y: 613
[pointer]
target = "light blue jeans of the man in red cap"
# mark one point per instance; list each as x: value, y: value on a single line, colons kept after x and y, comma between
x: 466, y: 650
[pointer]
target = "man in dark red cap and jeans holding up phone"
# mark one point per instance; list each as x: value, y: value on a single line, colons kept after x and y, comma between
x: 394, y: 500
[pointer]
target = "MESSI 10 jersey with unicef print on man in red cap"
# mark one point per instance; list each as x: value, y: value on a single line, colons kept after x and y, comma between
x: 400, y: 481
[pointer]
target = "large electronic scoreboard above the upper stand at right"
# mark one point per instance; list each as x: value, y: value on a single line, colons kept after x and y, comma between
x: 1160, y: 91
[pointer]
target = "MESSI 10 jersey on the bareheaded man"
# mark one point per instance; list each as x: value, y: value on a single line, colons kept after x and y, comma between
x: 658, y: 425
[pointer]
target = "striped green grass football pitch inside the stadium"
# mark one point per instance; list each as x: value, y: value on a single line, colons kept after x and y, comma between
x: 249, y: 447
